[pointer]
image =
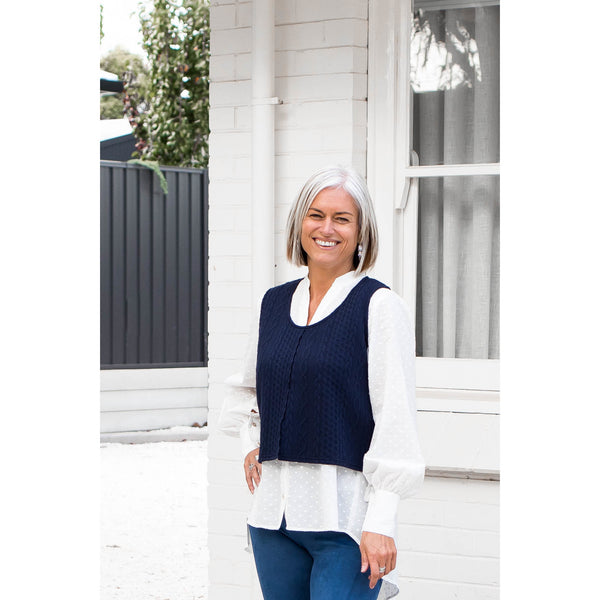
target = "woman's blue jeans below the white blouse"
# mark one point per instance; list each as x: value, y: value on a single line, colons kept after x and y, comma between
x: 309, y: 565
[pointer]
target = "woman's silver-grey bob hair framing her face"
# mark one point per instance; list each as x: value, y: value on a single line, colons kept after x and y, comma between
x: 352, y: 183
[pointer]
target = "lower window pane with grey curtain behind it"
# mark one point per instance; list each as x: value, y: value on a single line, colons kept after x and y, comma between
x: 457, y: 312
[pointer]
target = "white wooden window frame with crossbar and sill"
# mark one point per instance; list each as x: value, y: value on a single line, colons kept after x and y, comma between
x: 394, y: 182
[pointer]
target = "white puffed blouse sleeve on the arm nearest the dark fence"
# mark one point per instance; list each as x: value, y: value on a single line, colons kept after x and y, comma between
x: 239, y: 413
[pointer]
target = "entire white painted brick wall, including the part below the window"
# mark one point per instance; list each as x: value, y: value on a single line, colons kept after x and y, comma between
x: 449, y: 546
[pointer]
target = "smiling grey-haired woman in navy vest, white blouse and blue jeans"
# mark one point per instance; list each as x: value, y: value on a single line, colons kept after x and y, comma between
x: 325, y: 407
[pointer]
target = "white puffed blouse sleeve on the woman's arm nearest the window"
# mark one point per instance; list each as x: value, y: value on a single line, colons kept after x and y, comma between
x: 393, y: 466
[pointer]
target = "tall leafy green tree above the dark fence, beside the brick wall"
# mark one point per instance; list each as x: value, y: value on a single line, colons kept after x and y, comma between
x: 171, y: 121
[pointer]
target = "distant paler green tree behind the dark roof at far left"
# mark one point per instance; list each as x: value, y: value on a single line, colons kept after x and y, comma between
x: 129, y: 67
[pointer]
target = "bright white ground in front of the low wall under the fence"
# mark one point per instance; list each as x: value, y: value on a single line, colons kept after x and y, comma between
x: 154, y: 520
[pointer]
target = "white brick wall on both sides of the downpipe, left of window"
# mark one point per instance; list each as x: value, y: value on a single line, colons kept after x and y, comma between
x: 321, y: 76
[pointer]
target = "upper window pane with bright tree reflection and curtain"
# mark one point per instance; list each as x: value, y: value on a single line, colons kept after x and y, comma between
x: 455, y: 85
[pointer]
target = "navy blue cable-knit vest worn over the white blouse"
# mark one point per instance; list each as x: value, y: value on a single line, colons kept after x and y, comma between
x: 312, y: 381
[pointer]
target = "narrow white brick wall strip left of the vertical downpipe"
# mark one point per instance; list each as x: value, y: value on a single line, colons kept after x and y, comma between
x: 230, y: 569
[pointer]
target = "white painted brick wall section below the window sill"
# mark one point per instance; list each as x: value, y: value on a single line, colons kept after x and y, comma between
x: 448, y: 544
